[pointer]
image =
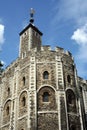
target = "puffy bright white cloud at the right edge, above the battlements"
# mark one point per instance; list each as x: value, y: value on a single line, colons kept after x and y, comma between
x: 80, y: 38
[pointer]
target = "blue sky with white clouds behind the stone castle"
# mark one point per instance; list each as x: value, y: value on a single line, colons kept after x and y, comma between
x: 62, y: 22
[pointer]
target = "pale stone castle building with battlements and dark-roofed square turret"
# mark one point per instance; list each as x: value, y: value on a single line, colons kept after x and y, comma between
x: 41, y: 89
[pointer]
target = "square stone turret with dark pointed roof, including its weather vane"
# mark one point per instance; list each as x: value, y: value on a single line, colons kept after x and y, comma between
x: 30, y: 37
